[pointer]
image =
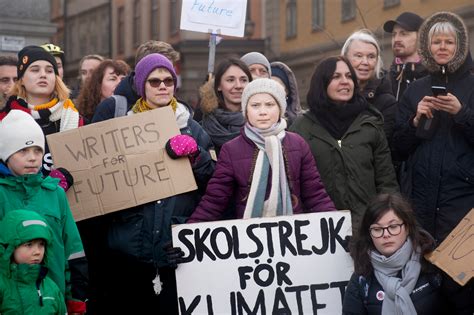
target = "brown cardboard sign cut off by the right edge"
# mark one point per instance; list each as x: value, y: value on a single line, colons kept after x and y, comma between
x: 455, y: 255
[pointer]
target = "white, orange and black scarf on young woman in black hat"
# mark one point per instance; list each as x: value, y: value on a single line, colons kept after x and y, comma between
x: 63, y: 111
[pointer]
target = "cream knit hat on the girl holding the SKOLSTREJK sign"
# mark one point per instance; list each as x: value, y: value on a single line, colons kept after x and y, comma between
x: 264, y: 86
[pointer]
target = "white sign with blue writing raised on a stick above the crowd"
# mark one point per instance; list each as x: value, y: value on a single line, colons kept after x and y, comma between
x: 225, y: 17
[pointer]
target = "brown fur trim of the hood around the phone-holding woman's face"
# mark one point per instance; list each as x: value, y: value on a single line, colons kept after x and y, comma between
x: 462, y: 42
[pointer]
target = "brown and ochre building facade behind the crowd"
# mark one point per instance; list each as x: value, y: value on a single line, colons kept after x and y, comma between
x: 297, y: 32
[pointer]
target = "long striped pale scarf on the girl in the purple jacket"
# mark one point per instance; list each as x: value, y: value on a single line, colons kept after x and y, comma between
x: 270, y: 155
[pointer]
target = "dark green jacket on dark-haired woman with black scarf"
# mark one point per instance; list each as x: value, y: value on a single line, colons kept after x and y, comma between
x: 357, y: 167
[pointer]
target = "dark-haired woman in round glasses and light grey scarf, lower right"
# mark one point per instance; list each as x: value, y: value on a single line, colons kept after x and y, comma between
x: 391, y: 275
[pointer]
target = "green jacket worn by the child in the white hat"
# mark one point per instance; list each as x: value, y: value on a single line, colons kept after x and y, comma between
x: 44, y: 196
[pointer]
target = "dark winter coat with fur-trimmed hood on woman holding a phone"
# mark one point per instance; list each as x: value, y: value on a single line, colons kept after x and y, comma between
x: 442, y: 168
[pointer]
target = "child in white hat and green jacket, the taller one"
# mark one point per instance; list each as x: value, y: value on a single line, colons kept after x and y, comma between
x: 22, y: 186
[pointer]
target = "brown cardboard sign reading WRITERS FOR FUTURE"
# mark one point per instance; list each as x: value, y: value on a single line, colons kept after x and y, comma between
x: 121, y: 163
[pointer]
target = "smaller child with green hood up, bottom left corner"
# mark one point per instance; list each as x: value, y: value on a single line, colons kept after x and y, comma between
x: 25, y: 287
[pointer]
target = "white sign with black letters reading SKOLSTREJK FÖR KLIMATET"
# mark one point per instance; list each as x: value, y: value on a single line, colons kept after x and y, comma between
x: 280, y: 265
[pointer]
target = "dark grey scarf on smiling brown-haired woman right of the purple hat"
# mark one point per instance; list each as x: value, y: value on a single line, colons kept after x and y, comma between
x: 222, y: 125
